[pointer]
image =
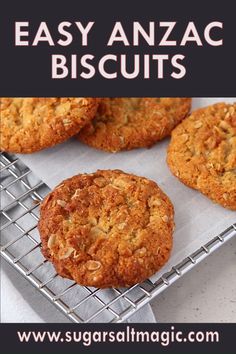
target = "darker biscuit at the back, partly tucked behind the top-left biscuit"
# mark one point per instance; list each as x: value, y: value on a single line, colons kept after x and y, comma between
x: 127, y: 123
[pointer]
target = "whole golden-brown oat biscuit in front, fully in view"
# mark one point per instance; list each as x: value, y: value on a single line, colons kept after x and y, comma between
x: 107, y: 229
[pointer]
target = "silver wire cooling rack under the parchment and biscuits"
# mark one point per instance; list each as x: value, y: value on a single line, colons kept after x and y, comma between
x: 21, y: 194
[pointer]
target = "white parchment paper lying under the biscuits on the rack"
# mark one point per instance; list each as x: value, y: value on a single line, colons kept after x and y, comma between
x: 197, y: 218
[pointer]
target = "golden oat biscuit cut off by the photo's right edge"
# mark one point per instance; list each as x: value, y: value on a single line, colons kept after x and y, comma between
x: 202, y: 153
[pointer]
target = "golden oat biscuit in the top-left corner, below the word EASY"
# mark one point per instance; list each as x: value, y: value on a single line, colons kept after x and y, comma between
x: 32, y: 124
